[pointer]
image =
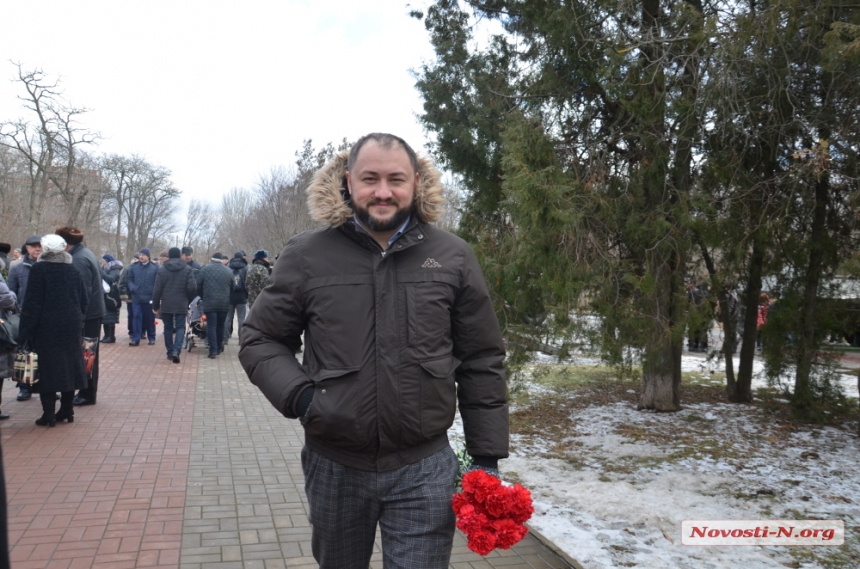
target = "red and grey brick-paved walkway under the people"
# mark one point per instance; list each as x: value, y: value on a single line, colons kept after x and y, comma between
x: 181, y: 466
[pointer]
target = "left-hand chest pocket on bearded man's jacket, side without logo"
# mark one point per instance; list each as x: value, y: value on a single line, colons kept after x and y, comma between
x: 340, y: 318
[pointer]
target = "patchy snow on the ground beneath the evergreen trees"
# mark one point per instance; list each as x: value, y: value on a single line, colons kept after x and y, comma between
x: 623, y: 503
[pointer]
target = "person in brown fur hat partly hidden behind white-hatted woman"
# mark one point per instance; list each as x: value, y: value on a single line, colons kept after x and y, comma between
x: 88, y: 265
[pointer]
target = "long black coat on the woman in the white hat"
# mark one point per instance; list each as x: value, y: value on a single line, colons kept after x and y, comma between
x: 52, y: 322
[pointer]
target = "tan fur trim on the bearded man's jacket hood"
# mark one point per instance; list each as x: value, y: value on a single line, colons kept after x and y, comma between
x: 328, y: 199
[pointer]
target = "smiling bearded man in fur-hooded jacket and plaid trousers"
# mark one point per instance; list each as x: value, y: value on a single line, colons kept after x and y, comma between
x: 398, y: 326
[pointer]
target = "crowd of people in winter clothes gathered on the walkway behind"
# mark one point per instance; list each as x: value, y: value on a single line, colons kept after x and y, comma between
x: 66, y: 296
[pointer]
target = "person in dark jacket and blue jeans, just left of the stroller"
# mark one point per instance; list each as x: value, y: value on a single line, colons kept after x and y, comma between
x: 174, y: 288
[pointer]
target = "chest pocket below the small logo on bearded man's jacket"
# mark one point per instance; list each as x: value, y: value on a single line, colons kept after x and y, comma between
x: 428, y: 299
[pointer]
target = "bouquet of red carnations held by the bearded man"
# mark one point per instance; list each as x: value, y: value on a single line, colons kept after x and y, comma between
x: 491, y: 514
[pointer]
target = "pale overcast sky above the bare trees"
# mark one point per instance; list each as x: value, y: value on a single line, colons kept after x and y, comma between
x: 219, y: 92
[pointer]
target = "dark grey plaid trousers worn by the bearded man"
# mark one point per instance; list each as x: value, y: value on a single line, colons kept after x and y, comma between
x: 412, y: 506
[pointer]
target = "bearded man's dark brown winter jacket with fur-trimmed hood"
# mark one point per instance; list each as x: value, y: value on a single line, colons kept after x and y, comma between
x: 392, y: 340
